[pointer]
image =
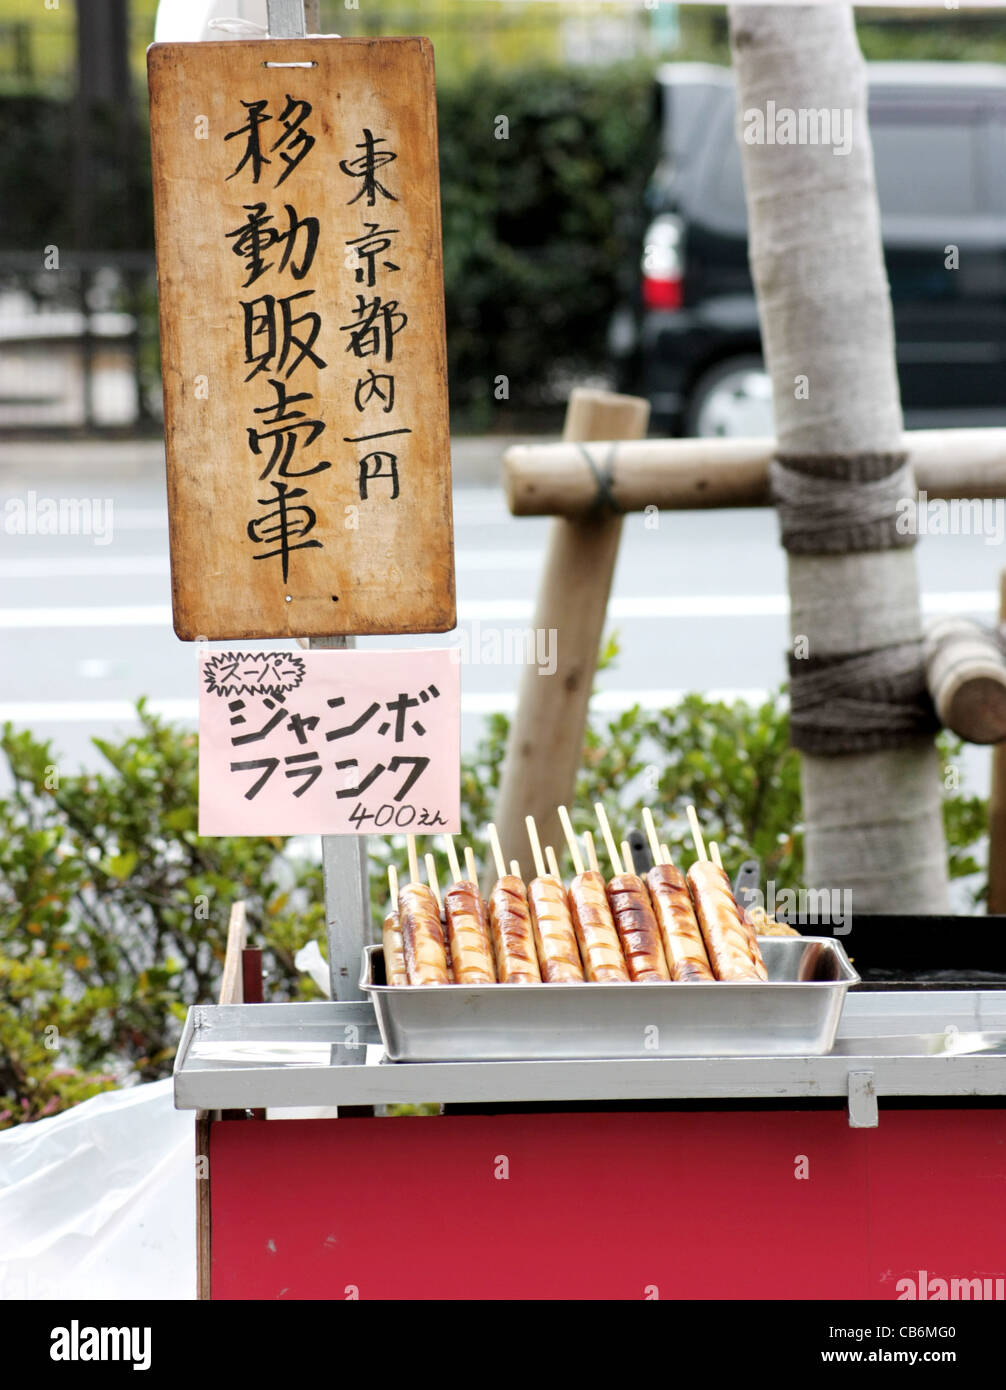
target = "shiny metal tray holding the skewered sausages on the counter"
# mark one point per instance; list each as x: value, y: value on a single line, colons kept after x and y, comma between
x: 794, y: 1014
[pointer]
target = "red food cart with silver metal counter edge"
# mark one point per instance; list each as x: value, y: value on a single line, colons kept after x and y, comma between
x: 648, y: 1178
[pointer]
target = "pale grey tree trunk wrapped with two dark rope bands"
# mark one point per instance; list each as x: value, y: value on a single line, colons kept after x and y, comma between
x: 873, y: 817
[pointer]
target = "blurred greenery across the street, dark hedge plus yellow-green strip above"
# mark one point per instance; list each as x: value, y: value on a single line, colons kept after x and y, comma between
x: 541, y: 230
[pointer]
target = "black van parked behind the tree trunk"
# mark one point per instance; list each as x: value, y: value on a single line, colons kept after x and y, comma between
x: 691, y: 341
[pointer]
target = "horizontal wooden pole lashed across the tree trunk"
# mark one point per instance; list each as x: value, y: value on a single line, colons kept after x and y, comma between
x: 687, y: 475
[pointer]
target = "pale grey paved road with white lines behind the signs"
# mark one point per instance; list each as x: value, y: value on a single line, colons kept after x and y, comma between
x: 700, y: 603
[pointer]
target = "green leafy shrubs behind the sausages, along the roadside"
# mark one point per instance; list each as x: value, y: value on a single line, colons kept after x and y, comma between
x: 115, y: 911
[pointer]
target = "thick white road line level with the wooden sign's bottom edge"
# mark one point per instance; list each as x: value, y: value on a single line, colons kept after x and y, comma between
x: 518, y: 611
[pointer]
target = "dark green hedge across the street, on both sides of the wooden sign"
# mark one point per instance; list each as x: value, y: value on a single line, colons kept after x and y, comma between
x: 541, y: 230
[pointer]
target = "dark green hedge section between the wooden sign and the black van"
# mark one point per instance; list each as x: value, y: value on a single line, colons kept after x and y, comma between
x: 541, y: 230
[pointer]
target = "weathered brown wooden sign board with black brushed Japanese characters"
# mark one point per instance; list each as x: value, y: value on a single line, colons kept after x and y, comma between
x: 299, y: 263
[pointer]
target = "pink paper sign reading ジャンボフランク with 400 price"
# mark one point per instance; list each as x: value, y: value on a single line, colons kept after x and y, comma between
x: 329, y: 743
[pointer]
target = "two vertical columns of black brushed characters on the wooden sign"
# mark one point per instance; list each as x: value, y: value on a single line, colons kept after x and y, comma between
x: 279, y: 244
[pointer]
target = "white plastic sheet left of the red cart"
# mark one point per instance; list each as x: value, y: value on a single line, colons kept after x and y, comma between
x: 101, y: 1202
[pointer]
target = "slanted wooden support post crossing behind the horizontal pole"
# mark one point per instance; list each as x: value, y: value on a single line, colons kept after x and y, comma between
x: 547, y: 736
